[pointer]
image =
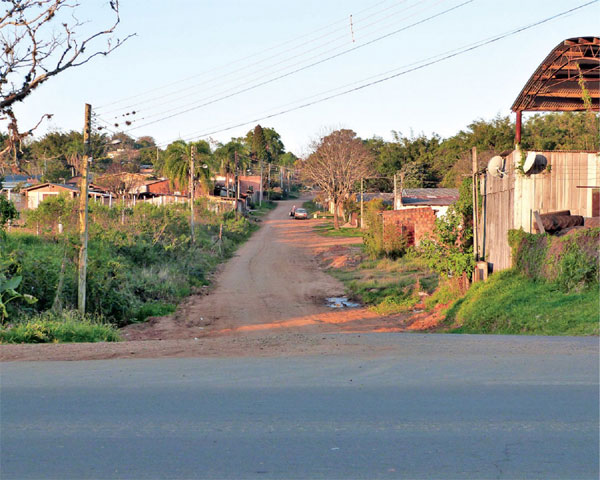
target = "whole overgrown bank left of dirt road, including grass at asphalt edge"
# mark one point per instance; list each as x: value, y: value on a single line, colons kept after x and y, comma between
x: 141, y: 263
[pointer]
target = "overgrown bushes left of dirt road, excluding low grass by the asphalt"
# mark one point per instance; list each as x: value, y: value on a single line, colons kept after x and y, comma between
x: 137, y: 268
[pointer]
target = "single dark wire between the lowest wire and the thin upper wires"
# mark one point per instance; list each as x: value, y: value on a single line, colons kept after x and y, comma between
x: 266, y: 82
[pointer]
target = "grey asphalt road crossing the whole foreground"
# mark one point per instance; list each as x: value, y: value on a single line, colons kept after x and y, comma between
x: 442, y: 407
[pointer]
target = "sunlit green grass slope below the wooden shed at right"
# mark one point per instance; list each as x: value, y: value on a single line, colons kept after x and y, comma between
x: 510, y: 303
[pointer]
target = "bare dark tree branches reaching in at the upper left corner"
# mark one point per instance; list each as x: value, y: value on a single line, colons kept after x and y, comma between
x: 41, y: 39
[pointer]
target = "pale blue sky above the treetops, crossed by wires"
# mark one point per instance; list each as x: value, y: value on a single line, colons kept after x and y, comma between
x: 222, y: 47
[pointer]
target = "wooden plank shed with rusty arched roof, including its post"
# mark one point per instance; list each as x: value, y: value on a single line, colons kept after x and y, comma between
x: 569, y: 180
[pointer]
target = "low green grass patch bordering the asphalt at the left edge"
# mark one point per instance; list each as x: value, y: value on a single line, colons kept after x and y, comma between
x: 55, y: 328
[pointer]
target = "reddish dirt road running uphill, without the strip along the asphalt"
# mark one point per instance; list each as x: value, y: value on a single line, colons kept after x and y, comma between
x: 274, y: 281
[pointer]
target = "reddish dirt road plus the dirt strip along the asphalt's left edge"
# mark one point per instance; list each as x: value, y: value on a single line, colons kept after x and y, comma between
x: 271, y: 294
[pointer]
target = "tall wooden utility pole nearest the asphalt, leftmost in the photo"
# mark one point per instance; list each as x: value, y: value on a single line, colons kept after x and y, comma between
x: 83, y: 210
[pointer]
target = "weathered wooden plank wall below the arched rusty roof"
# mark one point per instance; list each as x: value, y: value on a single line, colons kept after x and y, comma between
x: 509, y: 202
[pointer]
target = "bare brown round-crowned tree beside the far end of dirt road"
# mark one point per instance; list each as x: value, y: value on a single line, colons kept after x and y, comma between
x: 338, y: 162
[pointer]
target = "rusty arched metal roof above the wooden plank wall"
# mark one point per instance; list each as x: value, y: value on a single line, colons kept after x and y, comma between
x: 554, y: 86
